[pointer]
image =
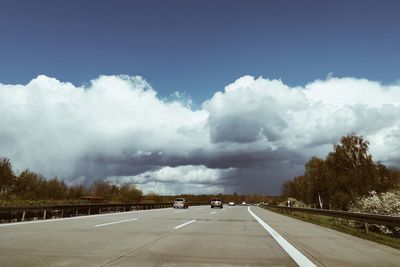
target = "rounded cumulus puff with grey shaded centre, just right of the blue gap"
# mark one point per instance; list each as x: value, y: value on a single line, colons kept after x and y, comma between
x: 251, y: 110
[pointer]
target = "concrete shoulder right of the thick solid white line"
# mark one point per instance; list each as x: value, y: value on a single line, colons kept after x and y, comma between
x: 327, y: 247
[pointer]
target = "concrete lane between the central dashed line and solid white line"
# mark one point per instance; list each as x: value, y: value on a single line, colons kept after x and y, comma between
x: 228, y: 237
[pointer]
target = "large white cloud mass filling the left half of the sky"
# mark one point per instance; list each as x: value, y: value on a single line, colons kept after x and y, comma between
x: 49, y: 126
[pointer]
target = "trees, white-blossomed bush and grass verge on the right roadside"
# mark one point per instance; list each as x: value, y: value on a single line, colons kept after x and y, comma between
x: 348, y: 179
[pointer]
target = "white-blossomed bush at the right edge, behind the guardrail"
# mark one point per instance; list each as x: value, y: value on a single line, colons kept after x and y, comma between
x: 384, y: 203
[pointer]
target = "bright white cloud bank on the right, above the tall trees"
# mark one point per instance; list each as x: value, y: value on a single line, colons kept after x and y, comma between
x: 270, y: 114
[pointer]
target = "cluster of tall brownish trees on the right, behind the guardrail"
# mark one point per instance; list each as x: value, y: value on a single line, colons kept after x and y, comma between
x: 346, y: 174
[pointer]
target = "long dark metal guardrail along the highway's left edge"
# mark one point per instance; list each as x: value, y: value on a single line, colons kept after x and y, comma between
x: 22, y: 213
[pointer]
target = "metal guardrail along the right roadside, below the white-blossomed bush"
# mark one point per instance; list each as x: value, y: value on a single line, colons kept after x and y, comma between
x: 359, y: 217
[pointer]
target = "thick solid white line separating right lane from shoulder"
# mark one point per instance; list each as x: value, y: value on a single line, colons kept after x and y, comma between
x: 296, y: 255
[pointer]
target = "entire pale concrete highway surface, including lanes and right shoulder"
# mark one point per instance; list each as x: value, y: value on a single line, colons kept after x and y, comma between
x: 198, y: 236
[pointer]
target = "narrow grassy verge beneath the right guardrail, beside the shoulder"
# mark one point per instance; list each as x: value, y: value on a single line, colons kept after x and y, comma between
x: 343, y: 226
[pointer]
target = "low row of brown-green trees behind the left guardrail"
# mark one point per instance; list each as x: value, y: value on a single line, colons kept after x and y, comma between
x: 32, y: 186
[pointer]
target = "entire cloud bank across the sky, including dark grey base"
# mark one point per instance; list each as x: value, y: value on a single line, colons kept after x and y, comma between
x: 247, y: 138
